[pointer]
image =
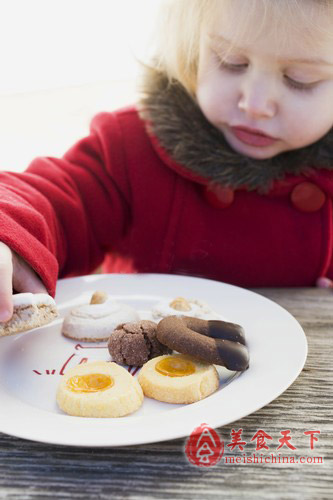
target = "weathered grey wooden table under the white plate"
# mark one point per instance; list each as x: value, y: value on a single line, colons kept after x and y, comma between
x: 31, y: 470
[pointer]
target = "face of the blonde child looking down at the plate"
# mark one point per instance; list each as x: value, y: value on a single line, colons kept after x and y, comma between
x: 267, y: 83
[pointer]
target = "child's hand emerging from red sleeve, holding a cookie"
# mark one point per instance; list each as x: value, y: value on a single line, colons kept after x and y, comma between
x: 15, y: 273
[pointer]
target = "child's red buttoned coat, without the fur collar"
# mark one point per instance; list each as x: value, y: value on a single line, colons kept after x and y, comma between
x: 118, y: 191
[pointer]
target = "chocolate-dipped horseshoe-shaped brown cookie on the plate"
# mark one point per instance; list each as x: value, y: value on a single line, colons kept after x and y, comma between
x: 218, y: 342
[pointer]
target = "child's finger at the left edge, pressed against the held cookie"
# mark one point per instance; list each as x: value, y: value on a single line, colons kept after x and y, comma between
x: 6, y: 287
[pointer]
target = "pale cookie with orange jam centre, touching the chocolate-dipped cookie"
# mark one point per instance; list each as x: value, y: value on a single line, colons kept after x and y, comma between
x: 178, y: 379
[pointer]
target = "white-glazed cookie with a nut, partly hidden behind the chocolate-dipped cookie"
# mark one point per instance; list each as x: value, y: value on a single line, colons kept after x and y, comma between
x: 180, y: 307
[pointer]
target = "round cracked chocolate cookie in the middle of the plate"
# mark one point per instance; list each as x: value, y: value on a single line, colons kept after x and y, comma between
x: 135, y: 343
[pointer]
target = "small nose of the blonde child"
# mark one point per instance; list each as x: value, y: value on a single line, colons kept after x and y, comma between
x: 258, y: 100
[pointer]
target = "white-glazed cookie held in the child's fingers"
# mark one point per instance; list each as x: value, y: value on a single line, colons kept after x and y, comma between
x: 30, y: 311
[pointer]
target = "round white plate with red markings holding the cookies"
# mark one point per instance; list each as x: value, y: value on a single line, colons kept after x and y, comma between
x: 31, y: 365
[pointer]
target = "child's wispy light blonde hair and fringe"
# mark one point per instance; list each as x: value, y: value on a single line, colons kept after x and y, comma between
x: 181, y: 24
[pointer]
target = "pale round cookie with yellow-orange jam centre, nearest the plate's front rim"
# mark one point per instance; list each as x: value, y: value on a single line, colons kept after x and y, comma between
x: 99, y: 389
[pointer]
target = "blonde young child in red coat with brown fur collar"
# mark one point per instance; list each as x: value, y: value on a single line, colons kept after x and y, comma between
x: 224, y: 170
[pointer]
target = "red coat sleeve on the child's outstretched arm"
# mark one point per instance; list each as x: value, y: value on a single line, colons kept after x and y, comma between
x: 63, y: 215
